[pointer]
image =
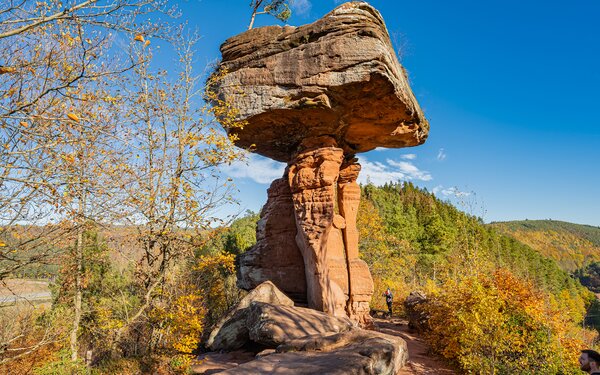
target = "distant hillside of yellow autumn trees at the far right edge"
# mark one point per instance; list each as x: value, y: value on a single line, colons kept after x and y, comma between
x: 573, y: 246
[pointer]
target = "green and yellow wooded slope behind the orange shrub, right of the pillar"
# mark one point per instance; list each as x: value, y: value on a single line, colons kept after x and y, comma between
x: 437, y: 238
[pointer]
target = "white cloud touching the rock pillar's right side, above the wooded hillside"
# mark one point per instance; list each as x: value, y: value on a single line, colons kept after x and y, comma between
x: 379, y: 173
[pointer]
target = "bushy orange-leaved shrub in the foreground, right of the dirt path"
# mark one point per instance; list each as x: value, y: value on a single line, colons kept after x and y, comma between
x: 500, y: 324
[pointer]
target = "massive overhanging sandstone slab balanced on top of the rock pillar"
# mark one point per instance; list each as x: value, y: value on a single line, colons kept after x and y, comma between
x: 338, y: 76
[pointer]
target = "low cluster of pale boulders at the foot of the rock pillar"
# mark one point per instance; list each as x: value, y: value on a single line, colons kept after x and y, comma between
x: 299, y: 341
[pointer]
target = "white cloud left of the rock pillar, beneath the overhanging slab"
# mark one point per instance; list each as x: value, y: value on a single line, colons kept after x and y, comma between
x: 257, y: 168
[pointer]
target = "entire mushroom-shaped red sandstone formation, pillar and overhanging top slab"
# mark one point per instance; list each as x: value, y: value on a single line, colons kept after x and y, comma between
x: 314, y: 96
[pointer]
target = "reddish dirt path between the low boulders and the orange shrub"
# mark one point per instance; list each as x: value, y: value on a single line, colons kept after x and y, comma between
x: 420, y: 361
